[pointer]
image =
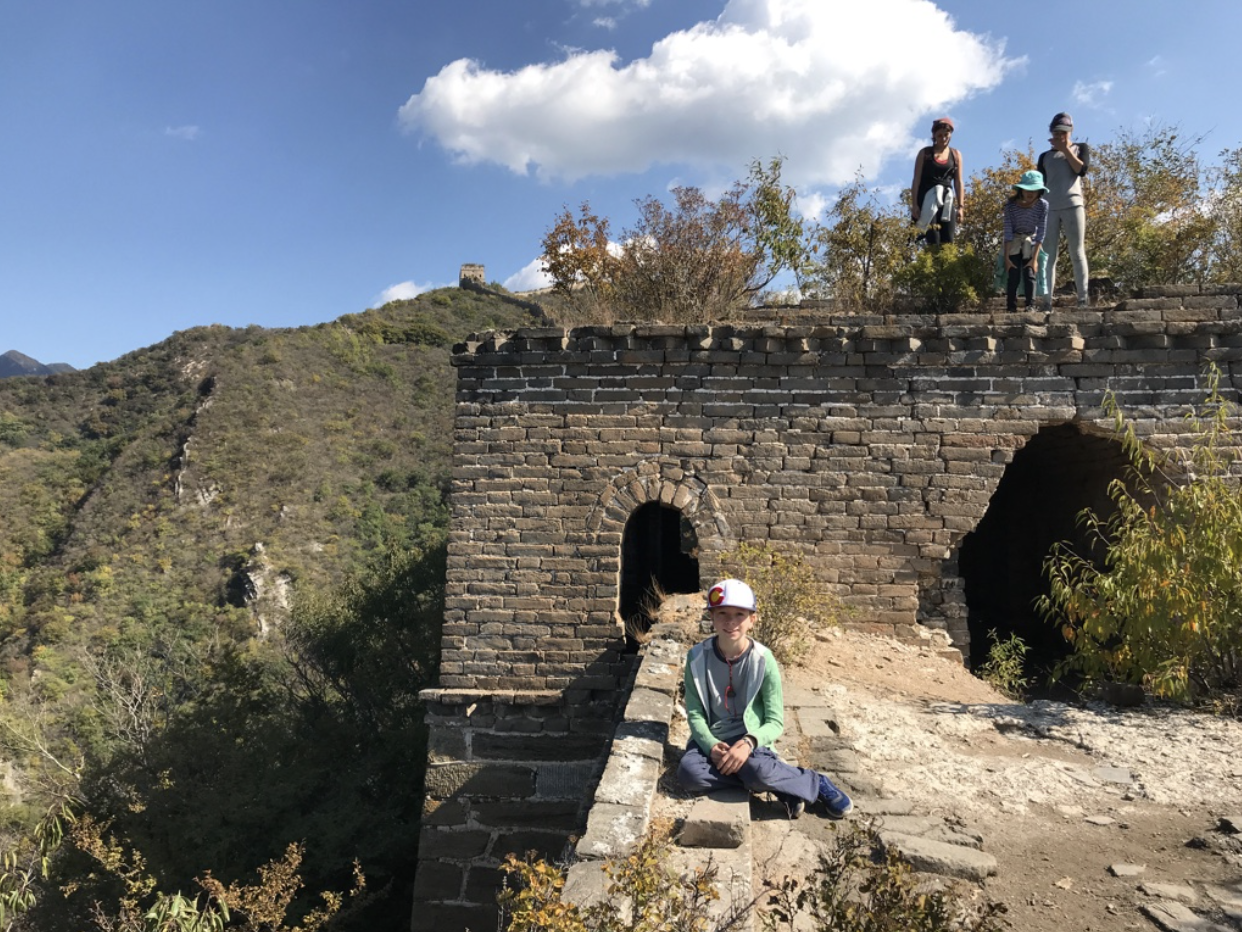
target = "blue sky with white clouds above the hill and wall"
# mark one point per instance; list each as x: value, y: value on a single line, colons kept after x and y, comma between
x: 285, y: 162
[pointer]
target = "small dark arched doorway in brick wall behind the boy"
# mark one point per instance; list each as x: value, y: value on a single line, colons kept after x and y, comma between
x: 659, y: 554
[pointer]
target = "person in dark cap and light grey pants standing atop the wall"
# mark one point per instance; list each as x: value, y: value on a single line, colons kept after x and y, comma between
x: 1064, y: 167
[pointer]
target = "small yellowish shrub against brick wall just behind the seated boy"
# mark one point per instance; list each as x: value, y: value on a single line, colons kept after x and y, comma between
x: 792, y: 600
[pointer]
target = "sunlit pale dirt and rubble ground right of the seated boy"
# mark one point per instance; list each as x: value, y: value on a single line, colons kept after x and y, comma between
x: 1064, y: 797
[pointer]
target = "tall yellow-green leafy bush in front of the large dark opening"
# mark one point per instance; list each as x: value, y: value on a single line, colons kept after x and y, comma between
x: 1166, y: 610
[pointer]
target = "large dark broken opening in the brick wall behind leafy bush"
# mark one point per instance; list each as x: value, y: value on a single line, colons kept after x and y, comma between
x: 1053, y: 479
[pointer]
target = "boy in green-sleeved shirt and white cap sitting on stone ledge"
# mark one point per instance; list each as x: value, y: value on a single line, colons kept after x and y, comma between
x: 737, y: 710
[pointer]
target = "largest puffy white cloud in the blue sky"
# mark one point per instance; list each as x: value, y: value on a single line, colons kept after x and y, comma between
x: 833, y: 86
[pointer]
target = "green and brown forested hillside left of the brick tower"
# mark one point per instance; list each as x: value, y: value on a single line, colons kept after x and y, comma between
x: 160, y: 516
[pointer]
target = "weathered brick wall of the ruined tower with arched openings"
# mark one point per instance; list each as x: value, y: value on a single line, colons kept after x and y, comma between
x: 871, y: 445
